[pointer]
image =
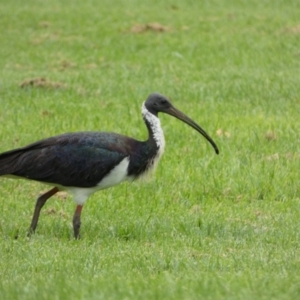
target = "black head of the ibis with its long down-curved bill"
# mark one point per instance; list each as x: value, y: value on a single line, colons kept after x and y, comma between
x: 156, y: 103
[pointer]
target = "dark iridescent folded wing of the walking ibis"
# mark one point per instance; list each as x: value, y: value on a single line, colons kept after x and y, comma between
x: 74, y: 159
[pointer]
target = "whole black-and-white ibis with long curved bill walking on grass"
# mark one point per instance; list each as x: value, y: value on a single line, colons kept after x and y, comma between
x: 82, y: 163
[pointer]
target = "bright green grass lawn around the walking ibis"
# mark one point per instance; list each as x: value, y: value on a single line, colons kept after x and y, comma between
x: 206, y: 226
